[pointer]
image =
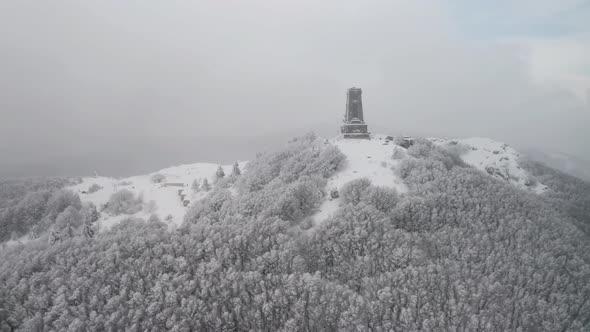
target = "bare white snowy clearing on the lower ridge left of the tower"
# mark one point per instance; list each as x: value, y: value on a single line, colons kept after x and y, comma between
x: 159, y: 199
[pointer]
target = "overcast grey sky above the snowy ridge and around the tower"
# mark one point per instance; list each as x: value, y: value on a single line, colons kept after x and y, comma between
x: 125, y: 87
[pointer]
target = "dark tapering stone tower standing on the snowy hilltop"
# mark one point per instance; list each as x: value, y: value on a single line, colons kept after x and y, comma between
x: 354, y: 123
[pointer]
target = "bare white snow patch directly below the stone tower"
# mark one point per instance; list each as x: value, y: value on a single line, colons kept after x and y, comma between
x: 364, y: 158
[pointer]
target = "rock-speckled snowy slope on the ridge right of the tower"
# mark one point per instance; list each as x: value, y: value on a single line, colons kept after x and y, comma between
x: 495, y: 158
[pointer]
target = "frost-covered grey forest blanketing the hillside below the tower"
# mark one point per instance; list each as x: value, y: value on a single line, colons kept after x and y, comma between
x: 461, y: 251
